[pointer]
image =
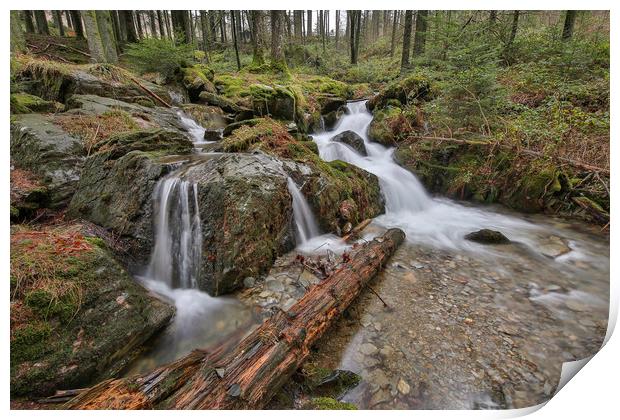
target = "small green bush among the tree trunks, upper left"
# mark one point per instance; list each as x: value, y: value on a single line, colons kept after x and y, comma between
x: 159, y: 55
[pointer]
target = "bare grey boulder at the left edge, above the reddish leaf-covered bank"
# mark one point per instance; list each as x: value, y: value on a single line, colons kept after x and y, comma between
x: 49, y: 152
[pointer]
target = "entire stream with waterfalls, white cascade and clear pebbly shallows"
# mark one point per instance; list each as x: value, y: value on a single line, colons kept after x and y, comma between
x: 466, y: 325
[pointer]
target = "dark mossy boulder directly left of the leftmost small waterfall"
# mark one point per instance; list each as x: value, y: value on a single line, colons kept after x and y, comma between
x: 117, y: 182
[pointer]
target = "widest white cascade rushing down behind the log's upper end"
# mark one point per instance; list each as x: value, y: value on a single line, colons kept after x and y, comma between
x: 437, y: 222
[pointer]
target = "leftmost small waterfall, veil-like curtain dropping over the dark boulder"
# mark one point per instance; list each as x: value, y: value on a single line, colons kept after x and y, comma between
x: 175, y: 259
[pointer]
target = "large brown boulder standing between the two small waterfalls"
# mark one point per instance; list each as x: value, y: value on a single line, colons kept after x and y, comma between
x: 246, y: 217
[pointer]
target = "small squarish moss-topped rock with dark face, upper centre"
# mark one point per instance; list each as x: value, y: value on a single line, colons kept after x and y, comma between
x: 275, y: 101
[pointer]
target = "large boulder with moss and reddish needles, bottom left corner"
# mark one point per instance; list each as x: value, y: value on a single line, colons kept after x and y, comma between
x: 77, y: 317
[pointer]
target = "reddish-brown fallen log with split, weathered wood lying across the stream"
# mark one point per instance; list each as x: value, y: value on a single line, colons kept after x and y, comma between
x: 248, y: 376
